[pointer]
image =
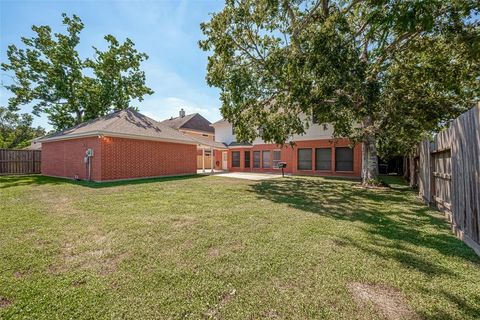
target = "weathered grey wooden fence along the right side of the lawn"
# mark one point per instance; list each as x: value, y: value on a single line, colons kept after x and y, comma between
x: 449, y: 175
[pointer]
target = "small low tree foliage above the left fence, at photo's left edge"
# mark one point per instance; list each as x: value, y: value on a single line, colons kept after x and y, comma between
x: 16, y: 130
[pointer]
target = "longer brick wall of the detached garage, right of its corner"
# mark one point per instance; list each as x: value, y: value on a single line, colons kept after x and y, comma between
x: 131, y: 158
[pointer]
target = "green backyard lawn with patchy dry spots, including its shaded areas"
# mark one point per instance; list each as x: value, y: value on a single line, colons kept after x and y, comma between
x: 212, y: 247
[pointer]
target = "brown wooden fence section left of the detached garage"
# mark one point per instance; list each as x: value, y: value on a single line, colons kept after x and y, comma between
x: 19, y: 161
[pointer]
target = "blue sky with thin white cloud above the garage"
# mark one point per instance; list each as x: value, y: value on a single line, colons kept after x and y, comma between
x: 168, y: 31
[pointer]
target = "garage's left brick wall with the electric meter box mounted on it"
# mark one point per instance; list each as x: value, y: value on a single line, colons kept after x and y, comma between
x: 66, y: 158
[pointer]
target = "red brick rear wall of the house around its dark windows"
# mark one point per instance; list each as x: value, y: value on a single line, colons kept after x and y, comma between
x: 290, y: 156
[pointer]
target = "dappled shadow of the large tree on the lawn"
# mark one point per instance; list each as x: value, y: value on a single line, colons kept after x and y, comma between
x: 345, y: 201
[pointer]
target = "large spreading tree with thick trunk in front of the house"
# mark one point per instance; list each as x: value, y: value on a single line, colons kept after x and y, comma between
x: 379, y: 70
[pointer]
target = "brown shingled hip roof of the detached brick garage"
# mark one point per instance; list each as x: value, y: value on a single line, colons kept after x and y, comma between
x: 126, y: 123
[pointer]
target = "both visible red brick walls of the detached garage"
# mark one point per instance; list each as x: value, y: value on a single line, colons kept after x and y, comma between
x: 117, y: 158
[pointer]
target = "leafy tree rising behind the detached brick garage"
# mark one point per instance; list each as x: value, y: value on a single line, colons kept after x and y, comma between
x: 50, y: 73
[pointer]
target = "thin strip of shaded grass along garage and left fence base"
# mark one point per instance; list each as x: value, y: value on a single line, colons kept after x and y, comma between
x: 18, y: 181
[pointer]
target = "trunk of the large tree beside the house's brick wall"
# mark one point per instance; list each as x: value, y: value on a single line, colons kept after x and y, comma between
x: 369, y: 154
